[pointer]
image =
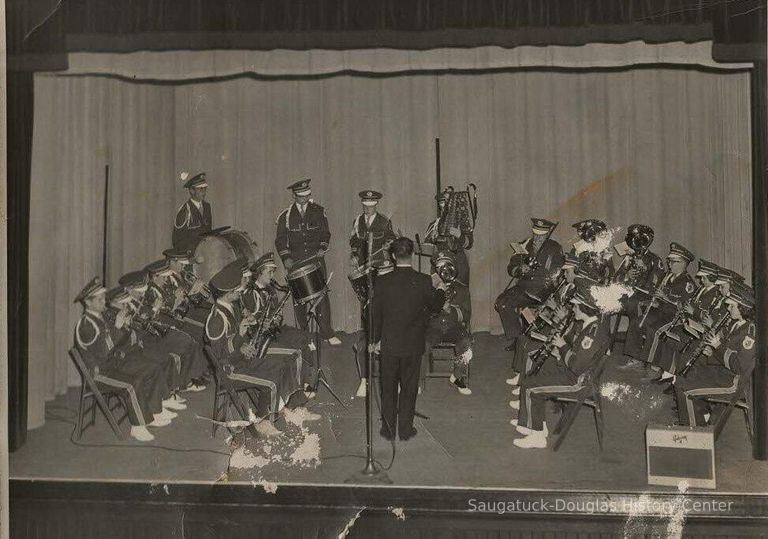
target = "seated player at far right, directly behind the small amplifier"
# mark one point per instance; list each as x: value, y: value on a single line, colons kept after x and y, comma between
x: 731, y: 359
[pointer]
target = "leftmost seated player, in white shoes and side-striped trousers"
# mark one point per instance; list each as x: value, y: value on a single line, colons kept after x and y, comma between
x: 117, y: 365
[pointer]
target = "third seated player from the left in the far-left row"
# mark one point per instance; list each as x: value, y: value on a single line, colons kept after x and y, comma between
x: 146, y: 304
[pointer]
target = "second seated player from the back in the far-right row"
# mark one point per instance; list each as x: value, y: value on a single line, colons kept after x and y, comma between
x: 672, y: 340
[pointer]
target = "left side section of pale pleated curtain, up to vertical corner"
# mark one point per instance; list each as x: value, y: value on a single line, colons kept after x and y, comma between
x: 81, y: 126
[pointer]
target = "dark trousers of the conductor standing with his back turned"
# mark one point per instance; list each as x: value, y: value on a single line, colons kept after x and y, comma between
x: 399, y: 372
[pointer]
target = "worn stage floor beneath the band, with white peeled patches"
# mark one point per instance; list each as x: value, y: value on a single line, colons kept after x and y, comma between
x: 466, y: 442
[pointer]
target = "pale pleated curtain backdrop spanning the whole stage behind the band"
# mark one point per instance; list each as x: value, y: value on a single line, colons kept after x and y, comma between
x: 666, y: 147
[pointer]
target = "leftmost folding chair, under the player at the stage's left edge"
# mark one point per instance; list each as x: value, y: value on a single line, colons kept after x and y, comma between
x: 91, y: 397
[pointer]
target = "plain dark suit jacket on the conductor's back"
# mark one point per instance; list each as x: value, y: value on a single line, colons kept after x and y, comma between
x: 403, y: 301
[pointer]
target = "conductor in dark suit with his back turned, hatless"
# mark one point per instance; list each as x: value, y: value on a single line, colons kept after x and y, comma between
x: 403, y: 301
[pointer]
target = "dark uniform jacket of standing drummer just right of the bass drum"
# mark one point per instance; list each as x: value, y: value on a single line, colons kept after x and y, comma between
x: 299, y: 238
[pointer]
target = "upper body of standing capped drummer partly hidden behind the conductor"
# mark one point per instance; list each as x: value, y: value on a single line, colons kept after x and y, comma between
x: 370, y: 221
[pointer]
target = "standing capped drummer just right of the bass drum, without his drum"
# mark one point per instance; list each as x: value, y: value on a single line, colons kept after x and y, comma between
x: 302, y: 237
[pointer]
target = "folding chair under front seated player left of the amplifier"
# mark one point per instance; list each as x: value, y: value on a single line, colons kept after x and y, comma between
x: 589, y: 396
